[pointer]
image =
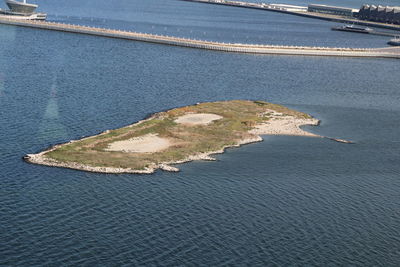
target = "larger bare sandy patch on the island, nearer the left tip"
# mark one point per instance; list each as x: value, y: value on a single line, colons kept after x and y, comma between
x: 148, y: 143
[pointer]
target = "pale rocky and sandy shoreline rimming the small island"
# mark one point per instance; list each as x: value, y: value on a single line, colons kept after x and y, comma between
x: 278, y: 123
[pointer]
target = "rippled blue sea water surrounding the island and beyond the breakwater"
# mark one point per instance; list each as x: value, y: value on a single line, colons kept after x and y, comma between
x: 286, y: 201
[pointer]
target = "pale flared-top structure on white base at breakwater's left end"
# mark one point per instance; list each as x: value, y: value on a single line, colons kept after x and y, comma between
x: 21, y: 10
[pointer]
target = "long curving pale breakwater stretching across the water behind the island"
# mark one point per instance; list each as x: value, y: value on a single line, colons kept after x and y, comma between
x: 208, y: 45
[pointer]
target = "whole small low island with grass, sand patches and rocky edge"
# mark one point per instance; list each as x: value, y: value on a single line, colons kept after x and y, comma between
x: 176, y: 136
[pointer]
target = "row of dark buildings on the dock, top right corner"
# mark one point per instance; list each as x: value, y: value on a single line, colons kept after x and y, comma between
x: 384, y: 14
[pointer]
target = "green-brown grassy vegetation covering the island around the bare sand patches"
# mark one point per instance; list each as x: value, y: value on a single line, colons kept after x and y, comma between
x: 238, y: 118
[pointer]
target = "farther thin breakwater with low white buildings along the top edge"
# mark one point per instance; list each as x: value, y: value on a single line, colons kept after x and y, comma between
x: 300, y: 12
